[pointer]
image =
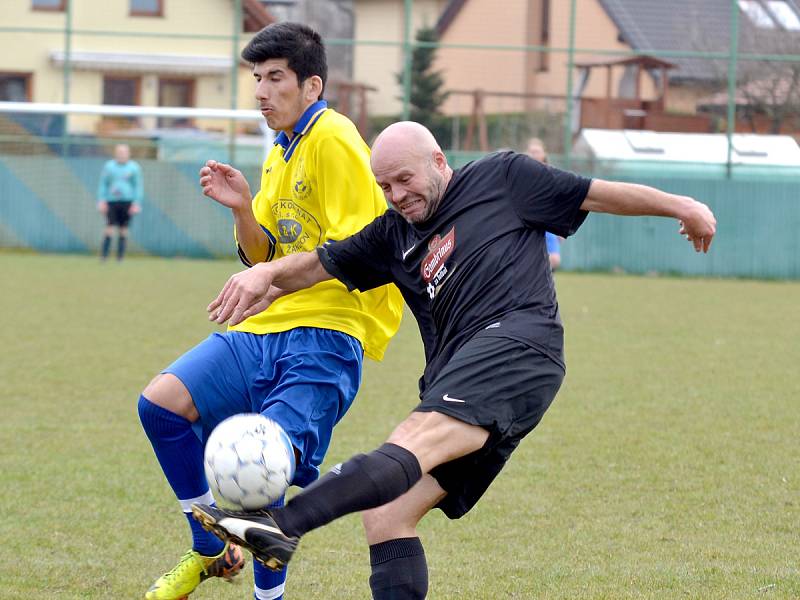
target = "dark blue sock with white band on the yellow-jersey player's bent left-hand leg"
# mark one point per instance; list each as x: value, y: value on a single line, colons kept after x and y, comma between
x: 180, y: 454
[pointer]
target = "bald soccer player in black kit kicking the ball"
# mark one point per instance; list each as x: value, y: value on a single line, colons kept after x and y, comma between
x: 467, y: 250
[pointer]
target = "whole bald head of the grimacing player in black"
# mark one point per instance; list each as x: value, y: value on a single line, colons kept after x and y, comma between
x: 411, y: 169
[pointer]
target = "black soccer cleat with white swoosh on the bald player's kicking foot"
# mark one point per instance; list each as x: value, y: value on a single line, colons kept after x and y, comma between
x: 254, y: 530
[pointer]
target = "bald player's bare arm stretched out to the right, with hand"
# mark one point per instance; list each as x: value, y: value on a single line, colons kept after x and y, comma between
x: 697, y: 222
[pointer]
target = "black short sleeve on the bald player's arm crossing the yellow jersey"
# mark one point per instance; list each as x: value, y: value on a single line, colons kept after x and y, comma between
x: 361, y: 261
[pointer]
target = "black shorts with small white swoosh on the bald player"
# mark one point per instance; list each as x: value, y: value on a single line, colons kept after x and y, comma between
x: 502, y: 385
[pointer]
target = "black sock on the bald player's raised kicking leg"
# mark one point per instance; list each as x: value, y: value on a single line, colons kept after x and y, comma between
x: 365, y: 481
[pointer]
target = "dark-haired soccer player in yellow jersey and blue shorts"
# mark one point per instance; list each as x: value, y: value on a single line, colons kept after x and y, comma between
x: 298, y: 363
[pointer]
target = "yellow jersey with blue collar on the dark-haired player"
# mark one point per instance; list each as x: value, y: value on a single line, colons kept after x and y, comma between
x: 318, y: 186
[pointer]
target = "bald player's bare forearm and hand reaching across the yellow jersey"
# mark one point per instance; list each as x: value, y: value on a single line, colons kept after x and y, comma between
x: 250, y: 292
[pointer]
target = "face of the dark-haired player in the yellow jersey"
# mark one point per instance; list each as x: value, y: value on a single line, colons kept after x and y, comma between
x: 281, y: 100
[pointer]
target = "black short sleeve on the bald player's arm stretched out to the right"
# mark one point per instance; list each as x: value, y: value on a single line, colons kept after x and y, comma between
x: 544, y: 196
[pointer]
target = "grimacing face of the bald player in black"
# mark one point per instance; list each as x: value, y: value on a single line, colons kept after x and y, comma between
x: 413, y: 185
